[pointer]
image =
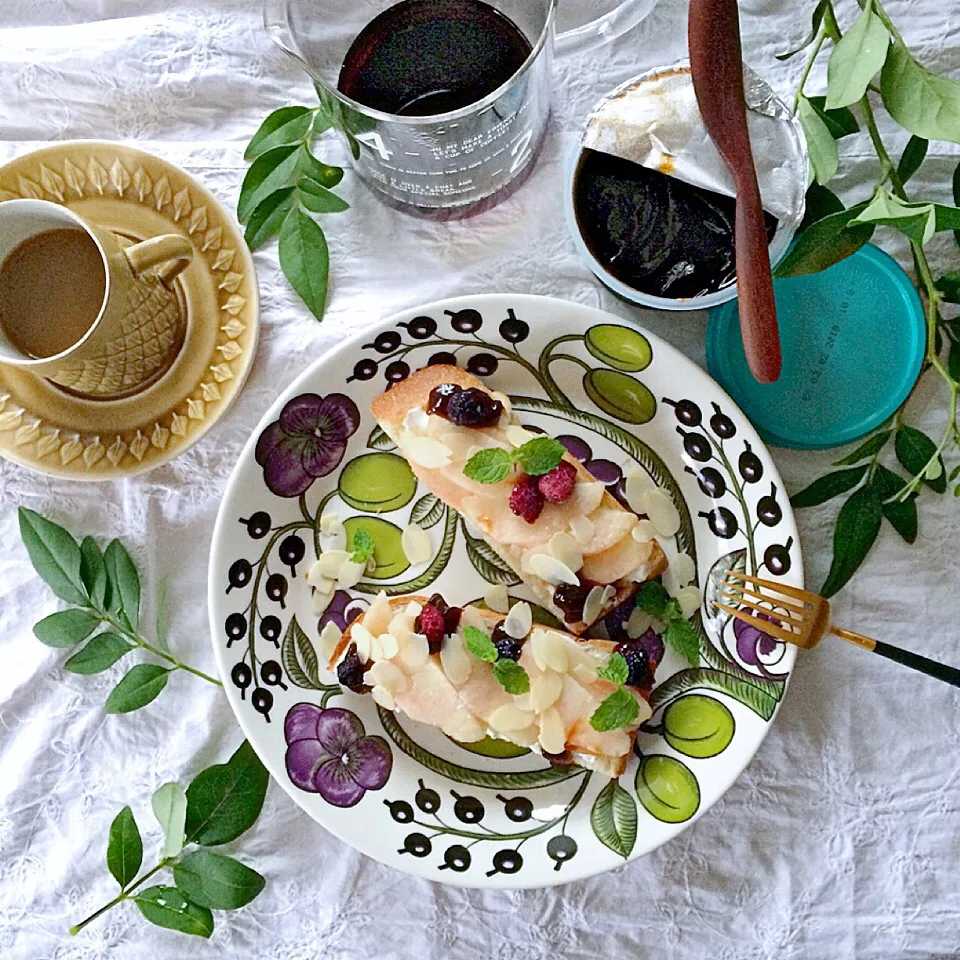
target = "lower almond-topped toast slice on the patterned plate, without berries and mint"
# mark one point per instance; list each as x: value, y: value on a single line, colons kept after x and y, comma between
x: 461, y: 696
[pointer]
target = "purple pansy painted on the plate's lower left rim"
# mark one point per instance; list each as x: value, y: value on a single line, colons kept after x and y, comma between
x: 329, y: 753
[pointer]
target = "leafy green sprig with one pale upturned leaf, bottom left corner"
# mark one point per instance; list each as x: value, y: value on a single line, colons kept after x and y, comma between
x: 221, y: 803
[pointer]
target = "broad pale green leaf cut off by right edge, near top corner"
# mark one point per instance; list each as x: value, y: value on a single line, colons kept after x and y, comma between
x: 925, y: 103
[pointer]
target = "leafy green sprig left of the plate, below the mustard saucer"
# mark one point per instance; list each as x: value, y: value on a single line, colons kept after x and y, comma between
x: 104, y: 592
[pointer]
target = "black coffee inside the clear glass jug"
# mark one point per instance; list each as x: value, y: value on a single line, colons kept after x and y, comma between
x: 421, y: 58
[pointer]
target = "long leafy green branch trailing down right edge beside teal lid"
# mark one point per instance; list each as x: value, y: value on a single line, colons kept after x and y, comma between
x: 927, y: 105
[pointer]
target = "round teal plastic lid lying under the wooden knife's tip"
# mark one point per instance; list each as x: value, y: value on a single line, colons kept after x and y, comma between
x: 853, y: 340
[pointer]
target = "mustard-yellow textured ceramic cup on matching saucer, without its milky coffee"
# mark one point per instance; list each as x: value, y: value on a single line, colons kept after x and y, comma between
x: 140, y: 326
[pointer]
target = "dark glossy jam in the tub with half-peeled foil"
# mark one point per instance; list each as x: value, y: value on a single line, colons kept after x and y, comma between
x: 655, y: 233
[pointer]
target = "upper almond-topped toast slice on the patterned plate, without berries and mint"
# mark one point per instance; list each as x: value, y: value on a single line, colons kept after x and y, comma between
x: 611, y: 557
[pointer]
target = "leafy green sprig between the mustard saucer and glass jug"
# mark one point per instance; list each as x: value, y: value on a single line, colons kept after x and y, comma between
x: 285, y: 184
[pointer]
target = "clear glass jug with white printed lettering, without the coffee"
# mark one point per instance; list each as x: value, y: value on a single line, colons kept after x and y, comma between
x: 448, y: 164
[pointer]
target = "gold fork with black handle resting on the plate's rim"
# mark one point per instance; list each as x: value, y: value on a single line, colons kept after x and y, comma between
x: 805, y: 618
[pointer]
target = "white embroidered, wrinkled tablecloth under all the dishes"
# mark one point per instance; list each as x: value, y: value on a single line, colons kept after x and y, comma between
x: 842, y: 838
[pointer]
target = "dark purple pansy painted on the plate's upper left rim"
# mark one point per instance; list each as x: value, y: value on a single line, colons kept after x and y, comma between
x: 307, y: 441
